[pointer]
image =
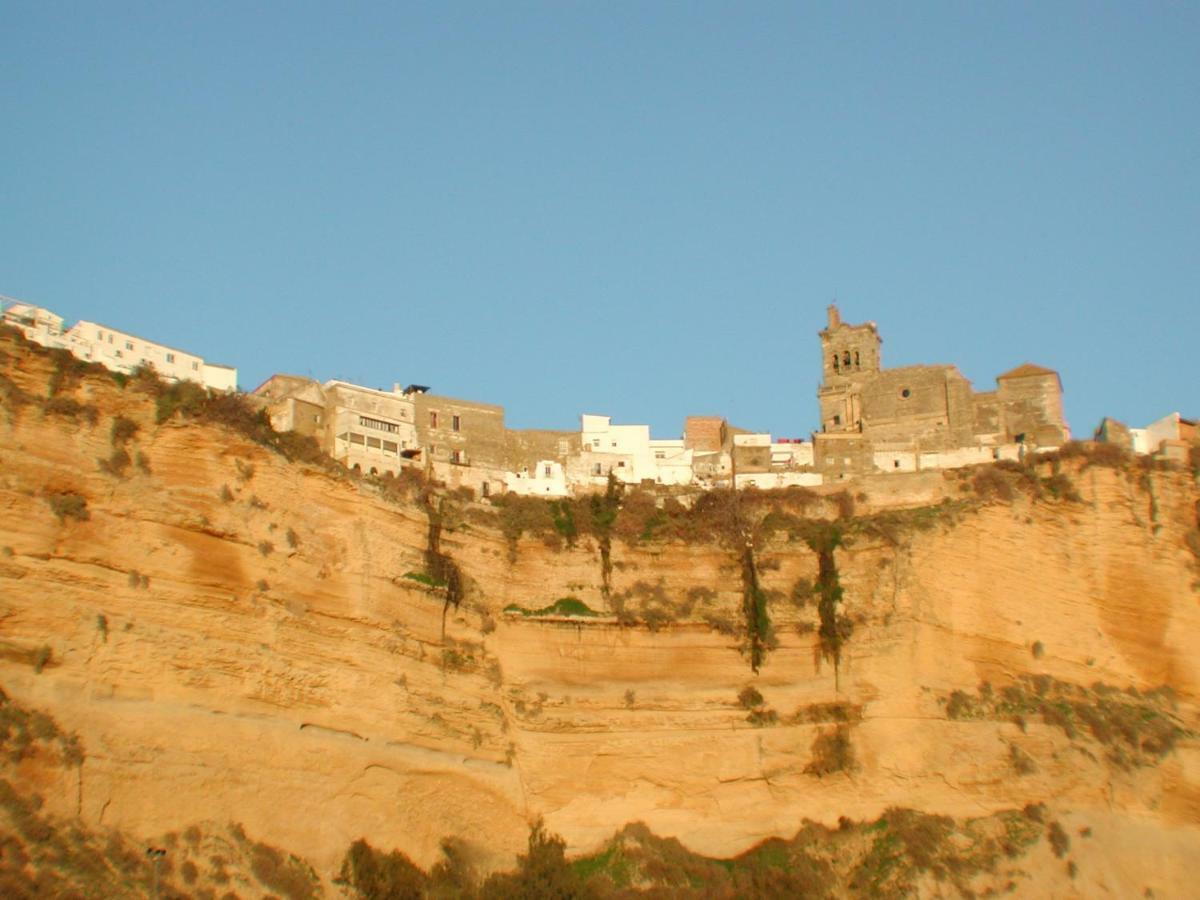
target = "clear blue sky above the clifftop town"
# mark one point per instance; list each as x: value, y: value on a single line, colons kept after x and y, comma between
x: 639, y: 209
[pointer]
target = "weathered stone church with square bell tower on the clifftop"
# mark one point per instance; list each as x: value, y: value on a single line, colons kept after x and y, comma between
x: 875, y: 419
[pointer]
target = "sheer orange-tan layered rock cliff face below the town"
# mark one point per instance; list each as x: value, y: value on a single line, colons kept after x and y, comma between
x: 235, y: 639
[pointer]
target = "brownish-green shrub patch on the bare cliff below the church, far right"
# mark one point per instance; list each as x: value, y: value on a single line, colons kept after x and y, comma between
x: 1136, y: 728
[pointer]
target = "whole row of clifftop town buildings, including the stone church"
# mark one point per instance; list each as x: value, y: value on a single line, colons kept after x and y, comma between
x: 874, y: 422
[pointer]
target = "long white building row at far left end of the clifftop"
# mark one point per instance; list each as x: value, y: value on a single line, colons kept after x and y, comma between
x: 118, y: 351
